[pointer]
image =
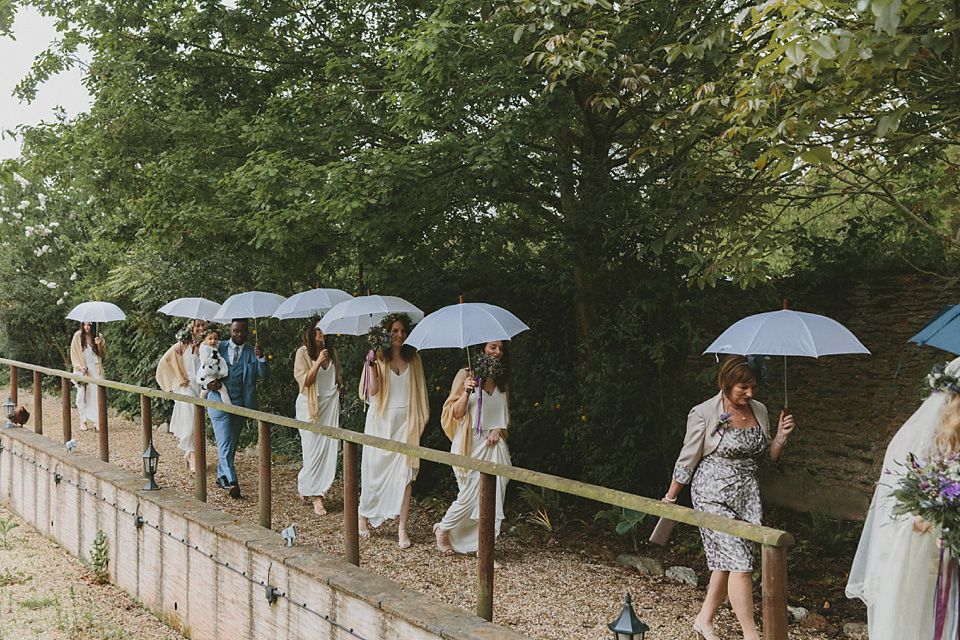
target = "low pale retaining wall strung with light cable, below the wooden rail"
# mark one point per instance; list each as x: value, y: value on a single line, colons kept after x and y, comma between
x: 206, y: 572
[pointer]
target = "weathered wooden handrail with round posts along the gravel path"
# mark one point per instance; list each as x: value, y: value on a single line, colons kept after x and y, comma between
x: 774, y: 542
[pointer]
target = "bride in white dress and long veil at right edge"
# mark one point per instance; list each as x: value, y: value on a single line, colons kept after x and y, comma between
x: 895, y: 569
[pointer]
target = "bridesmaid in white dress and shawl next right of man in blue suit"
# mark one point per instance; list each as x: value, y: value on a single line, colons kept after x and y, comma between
x: 317, y: 371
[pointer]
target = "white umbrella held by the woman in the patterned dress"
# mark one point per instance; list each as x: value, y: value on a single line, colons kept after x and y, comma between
x: 787, y: 333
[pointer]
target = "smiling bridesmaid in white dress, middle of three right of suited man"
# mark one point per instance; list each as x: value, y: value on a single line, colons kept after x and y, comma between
x: 394, y: 384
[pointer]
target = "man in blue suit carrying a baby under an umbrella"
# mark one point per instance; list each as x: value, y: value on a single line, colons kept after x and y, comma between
x: 245, y: 365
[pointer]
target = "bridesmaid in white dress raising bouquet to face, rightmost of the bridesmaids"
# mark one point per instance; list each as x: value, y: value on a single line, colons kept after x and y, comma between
x: 458, y: 531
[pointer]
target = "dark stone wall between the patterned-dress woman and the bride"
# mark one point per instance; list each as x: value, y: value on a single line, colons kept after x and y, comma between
x: 849, y: 407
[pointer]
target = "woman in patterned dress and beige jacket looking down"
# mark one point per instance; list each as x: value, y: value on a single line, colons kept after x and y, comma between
x: 726, y: 437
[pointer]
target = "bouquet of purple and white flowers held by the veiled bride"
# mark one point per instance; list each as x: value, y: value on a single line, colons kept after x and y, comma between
x: 931, y: 489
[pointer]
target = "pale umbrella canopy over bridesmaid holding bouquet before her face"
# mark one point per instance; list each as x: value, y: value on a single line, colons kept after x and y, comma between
x: 461, y: 325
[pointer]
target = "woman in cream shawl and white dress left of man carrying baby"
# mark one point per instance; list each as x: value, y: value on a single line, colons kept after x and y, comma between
x: 175, y: 375
